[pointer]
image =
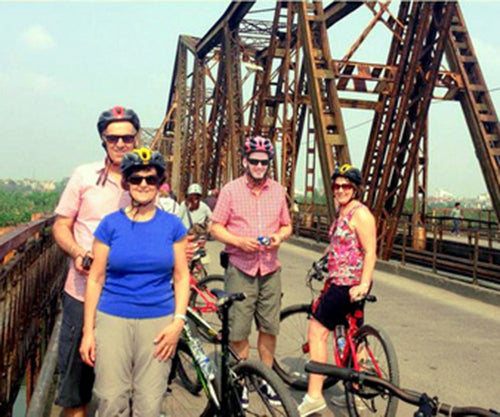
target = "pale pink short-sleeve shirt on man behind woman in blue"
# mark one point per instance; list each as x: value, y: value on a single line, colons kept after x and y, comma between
x: 87, y: 203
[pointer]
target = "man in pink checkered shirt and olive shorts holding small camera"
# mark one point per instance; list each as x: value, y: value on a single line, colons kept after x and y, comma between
x: 252, y: 218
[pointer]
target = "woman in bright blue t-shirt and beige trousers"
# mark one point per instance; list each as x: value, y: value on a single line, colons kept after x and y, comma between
x: 132, y: 316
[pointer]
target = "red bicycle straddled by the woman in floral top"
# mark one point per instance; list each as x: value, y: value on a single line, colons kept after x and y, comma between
x: 367, y: 348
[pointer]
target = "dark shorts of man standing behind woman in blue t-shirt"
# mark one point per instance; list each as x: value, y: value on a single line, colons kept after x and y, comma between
x: 76, y: 379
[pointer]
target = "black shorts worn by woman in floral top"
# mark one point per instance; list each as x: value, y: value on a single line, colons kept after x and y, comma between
x: 334, y: 305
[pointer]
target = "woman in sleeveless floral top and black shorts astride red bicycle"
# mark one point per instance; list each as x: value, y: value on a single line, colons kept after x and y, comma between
x: 351, y: 261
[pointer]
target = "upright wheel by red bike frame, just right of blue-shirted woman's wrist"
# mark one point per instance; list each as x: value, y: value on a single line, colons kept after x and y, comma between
x: 198, y: 303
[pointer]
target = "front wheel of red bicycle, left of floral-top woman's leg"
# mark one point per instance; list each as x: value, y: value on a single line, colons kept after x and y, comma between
x: 292, y: 349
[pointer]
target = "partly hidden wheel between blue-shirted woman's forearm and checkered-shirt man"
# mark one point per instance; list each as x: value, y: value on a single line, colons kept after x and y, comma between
x: 203, y: 301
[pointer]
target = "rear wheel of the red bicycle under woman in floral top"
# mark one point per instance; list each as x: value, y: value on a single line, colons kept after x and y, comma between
x: 375, y: 350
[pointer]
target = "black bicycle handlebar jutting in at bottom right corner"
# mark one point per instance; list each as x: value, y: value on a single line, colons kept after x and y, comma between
x: 365, y: 385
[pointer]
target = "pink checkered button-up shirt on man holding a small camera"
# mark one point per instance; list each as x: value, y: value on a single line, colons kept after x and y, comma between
x: 243, y: 213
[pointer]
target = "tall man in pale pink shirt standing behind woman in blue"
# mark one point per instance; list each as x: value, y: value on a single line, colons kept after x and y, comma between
x: 93, y: 191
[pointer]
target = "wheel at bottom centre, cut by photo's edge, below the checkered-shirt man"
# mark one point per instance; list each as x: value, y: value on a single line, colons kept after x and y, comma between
x: 267, y: 396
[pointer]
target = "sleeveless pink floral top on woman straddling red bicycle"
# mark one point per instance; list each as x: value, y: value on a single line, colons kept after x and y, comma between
x: 346, y: 256
